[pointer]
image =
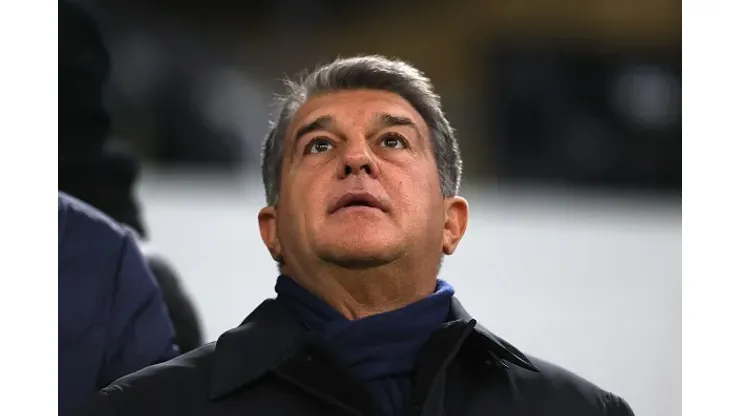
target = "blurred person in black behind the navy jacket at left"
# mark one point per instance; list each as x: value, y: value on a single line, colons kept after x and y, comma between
x: 95, y: 169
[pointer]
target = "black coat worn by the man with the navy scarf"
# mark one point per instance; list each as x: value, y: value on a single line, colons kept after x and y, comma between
x: 270, y: 365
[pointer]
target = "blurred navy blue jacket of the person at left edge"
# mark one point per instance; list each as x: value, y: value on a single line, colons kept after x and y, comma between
x: 112, y: 320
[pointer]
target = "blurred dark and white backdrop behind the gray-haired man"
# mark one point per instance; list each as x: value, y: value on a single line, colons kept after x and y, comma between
x: 569, y: 120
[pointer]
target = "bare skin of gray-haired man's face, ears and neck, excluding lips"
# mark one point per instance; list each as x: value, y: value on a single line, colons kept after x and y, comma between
x: 361, y: 260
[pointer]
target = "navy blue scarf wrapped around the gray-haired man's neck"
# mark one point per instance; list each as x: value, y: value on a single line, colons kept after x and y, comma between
x: 380, y: 350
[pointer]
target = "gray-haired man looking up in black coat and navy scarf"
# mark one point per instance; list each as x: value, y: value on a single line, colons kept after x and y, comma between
x: 361, y: 171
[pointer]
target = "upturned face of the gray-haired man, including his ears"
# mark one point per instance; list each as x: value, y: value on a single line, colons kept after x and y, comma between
x: 360, y: 186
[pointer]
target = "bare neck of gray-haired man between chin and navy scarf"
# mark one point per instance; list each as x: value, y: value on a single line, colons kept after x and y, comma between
x: 357, y: 294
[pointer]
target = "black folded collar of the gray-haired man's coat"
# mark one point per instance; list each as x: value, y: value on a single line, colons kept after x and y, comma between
x: 270, y: 334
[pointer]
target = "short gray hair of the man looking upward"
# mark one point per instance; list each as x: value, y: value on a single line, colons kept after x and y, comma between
x: 364, y: 72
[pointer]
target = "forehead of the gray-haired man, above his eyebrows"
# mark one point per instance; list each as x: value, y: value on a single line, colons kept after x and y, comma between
x: 355, y: 107
